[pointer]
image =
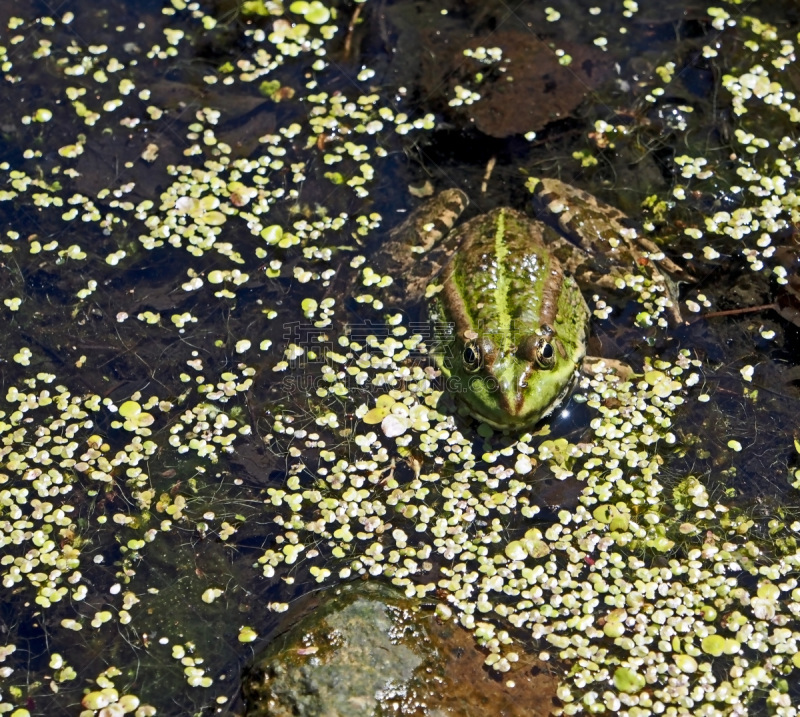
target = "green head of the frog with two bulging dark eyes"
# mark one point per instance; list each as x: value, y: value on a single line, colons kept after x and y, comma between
x: 513, y: 385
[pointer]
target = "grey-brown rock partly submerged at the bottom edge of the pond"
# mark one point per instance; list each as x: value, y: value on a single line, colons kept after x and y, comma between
x: 365, y: 649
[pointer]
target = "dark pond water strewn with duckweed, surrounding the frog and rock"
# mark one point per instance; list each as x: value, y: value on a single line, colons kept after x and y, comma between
x: 212, y: 405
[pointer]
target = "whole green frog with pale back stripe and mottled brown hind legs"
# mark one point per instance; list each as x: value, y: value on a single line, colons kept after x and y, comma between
x: 506, y: 294
